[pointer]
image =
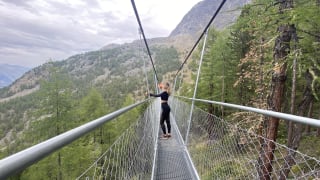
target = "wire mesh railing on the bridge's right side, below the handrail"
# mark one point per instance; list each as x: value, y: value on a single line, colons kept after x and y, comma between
x: 220, y: 150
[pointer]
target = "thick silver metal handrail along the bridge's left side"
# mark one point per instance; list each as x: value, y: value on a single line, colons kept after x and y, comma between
x: 29, y: 156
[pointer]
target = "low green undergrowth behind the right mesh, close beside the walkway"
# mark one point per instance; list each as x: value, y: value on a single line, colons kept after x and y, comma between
x: 219, y: 165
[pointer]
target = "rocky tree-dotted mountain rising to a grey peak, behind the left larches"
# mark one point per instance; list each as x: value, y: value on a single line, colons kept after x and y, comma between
x: 116, y: 70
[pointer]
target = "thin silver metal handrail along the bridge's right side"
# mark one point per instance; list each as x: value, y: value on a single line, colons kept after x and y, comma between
x: 288, y: 117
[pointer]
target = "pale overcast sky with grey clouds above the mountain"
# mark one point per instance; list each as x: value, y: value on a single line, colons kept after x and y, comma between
x: 34, y: 31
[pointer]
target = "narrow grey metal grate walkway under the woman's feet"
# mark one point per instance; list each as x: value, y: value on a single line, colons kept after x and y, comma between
x: 172, y: 162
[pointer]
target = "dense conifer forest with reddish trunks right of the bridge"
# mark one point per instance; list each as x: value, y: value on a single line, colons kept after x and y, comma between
x: 268, y: 59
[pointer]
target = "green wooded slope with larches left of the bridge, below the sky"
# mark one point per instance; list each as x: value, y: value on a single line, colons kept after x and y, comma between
x: 59, y: 96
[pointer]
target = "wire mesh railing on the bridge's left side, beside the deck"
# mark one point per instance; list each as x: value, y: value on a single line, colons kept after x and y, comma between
x: 132, y: 154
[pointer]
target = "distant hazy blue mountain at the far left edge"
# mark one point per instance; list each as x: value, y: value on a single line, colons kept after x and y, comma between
x: 9, y: 73
